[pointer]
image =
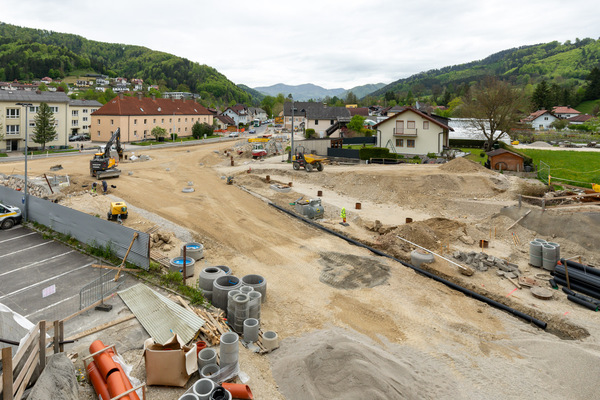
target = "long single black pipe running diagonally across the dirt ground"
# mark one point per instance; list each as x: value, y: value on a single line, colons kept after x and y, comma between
x: 493, y: 303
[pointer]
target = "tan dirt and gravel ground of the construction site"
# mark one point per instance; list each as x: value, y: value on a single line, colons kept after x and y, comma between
x: 355, y: 325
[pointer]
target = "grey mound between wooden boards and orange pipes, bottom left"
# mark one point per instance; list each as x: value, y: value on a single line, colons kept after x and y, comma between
x: 57, y: 381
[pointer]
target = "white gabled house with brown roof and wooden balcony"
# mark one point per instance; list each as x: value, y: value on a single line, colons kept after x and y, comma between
x: 411, y: 132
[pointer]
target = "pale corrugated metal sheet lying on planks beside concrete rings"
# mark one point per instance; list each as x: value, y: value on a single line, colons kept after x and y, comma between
x: 160, y: 316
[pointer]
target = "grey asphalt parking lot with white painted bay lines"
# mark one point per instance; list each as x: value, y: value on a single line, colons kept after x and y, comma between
x: 40, y: 278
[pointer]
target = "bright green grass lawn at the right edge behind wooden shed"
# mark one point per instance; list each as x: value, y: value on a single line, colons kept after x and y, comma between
x: 579, y: 168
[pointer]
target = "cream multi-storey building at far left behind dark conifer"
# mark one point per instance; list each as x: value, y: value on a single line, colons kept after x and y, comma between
x: 16, y: 120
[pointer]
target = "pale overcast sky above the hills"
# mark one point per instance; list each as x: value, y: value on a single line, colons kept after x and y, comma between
x: 331, y: 43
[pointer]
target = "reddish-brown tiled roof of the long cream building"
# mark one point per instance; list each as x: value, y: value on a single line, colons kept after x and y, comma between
x: 147, y: 106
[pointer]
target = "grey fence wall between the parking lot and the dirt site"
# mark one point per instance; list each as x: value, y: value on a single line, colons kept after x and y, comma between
x: 83, y: 227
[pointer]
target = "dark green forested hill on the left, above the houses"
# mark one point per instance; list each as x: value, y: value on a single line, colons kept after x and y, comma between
x: 28, y: 54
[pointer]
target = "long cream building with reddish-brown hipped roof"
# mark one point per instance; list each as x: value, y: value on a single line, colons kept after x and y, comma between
x: 137, y: 116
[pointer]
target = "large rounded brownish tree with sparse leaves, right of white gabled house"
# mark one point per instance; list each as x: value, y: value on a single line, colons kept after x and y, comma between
x: 493, y: 107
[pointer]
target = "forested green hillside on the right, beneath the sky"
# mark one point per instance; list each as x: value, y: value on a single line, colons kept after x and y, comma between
x: 566, y: 64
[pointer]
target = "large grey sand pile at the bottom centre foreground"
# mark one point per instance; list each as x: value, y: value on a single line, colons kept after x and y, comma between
x: 339, y: 364
